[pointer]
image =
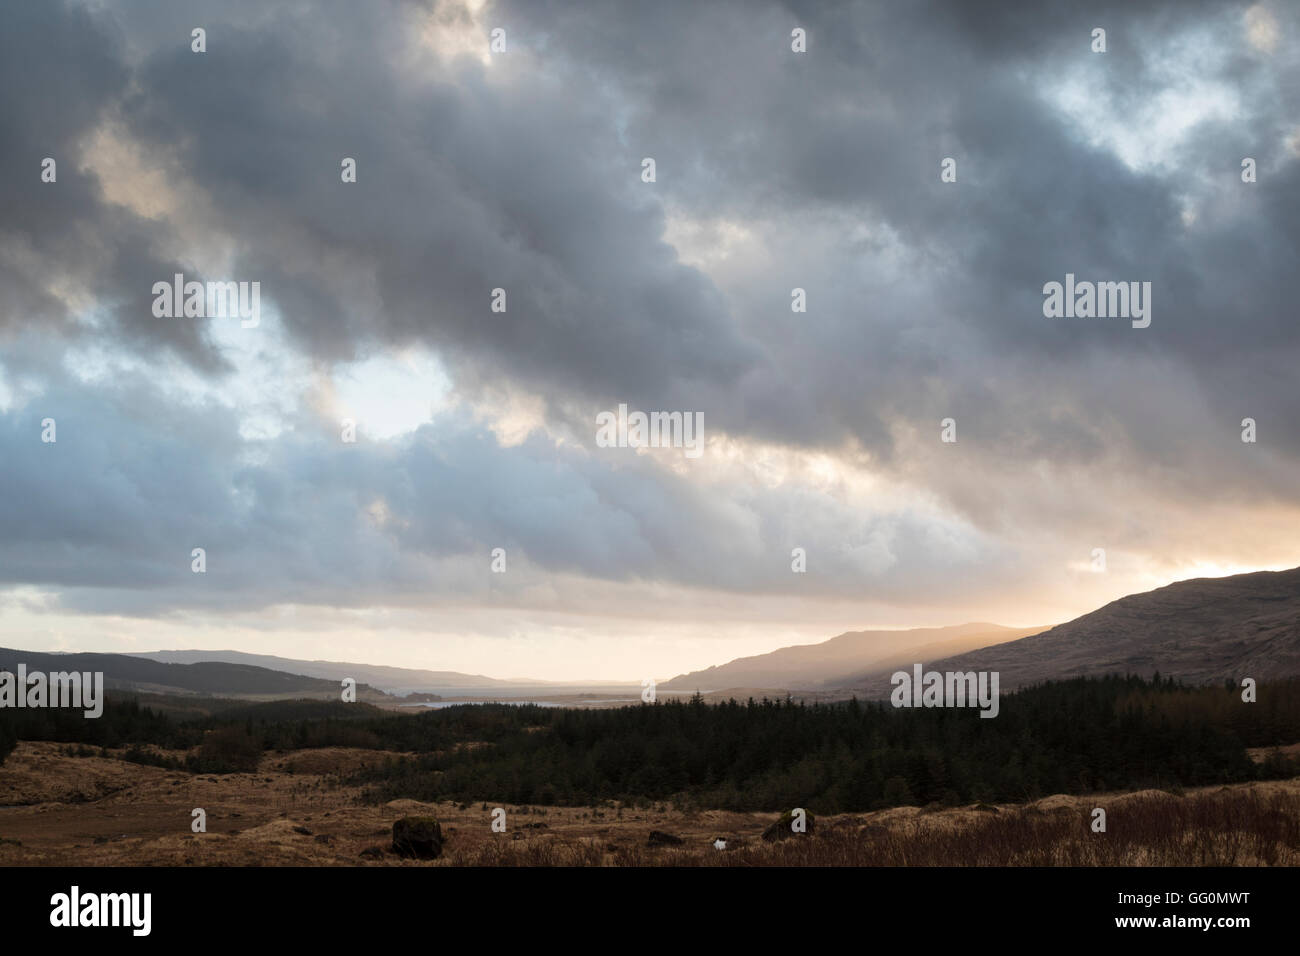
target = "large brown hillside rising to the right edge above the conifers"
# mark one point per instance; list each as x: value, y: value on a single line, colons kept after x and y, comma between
x: 1207, y: 630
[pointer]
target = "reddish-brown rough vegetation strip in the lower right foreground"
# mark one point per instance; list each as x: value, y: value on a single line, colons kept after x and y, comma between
x: 1241, y: 827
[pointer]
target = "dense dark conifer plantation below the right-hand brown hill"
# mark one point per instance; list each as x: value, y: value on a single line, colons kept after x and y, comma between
x: 1071, y: 737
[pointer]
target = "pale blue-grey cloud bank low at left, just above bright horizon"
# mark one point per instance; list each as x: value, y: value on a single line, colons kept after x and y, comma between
x: 111, y: 512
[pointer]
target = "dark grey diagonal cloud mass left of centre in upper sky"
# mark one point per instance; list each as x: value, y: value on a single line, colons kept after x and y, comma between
x: 463, y: 187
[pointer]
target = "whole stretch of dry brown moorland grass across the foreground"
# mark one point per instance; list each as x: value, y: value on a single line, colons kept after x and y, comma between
x: 97, y: 812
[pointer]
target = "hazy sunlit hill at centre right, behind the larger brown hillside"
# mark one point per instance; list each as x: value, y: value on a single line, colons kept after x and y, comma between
x: 843, y: 660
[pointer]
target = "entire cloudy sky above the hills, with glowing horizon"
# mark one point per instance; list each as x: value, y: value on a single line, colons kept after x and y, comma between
x: 522, y: 168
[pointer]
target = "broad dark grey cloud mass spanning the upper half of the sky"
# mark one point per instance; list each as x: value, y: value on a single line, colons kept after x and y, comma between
x: 470, y: 183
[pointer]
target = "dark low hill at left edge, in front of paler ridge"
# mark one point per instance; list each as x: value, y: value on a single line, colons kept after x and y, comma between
x: 220, y: 680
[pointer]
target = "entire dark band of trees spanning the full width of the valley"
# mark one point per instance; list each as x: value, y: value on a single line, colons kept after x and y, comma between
x: 1069, y: 737
